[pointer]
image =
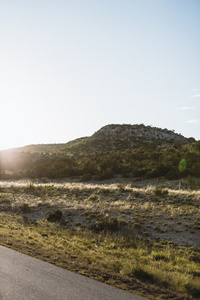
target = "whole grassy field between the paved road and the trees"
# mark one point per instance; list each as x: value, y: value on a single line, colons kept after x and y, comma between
x: 144, y: 240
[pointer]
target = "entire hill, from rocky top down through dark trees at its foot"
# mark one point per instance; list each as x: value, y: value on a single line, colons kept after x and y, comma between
x: 128, y: 151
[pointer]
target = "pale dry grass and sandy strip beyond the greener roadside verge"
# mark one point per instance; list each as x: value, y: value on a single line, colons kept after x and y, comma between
x: 175, y: 217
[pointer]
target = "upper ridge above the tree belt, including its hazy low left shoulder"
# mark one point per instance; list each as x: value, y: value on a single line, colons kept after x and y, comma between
x: 112, y: 137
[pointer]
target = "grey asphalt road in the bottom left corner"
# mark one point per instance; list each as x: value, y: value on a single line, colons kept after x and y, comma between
x: 26, y: 278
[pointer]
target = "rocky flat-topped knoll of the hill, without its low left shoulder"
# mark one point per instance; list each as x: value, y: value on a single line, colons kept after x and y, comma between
x: 121, y: 137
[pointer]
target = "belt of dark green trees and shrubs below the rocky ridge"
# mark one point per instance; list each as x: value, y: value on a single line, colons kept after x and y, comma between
x: 150, y: 161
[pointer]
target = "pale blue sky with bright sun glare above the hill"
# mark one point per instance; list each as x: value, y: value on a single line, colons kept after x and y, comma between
x: 68, y: 68
